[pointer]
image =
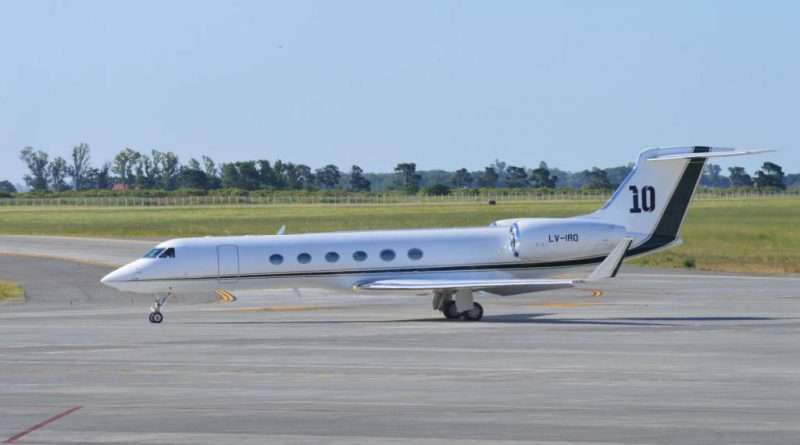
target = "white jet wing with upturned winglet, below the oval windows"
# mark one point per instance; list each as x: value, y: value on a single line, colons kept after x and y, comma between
x: 607, y: 269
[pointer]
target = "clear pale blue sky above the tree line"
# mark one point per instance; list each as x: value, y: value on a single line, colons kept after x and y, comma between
x: 445, y: 84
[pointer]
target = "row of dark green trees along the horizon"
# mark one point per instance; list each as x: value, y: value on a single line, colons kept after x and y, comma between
x: 162, y: 170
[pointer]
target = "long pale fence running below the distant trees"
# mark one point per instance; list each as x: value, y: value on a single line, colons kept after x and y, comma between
x: 372, y: 199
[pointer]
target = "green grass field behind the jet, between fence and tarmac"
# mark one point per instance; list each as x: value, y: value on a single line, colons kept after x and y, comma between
x: 761, y: 236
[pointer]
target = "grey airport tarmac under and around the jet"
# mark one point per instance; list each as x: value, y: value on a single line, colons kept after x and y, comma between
x: 650, y: 357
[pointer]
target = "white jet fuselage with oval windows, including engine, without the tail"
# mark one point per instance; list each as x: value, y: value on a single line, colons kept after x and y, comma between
x: 524, y: 248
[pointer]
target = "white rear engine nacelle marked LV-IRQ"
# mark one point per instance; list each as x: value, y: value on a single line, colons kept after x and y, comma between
x: 556, y: 239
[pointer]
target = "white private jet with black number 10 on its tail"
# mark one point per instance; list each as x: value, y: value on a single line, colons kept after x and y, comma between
x: 506, y: 257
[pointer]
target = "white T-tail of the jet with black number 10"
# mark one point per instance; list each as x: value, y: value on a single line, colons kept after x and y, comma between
x: 651, y: 202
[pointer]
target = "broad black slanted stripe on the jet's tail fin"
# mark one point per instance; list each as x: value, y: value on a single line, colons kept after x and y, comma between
x: 666, y: 231
